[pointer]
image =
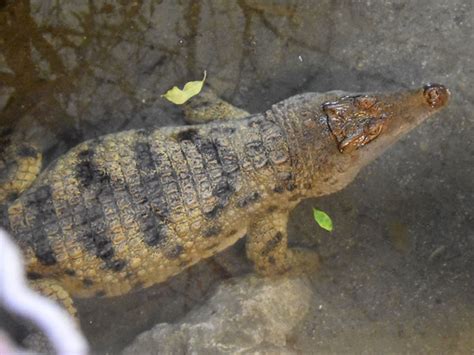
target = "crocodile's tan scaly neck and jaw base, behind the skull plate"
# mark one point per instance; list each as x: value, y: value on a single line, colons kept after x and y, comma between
x: 318, y: 166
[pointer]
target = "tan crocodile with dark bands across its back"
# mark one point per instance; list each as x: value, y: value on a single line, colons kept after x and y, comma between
x: 131, y: 209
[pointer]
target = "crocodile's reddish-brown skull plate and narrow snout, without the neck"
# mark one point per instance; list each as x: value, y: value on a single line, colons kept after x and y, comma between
x: 363, y: 126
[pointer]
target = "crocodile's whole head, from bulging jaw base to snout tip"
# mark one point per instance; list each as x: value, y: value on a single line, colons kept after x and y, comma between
x: 354, y: 129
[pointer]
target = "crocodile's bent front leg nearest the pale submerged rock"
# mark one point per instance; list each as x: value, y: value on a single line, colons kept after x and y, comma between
x: 267, y: 248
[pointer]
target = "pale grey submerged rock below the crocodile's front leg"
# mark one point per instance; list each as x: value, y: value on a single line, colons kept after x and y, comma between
x: 248, y: 315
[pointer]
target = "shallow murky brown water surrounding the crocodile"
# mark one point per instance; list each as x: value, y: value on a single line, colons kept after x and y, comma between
x: 397, y: 273
